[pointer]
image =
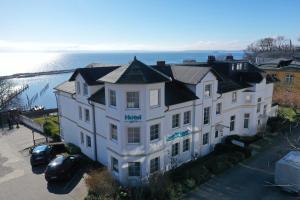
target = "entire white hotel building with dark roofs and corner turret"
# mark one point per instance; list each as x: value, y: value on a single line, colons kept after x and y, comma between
x: 138, y: 119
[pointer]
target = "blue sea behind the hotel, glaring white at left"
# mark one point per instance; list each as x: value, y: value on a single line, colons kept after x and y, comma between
x: 40, y: 91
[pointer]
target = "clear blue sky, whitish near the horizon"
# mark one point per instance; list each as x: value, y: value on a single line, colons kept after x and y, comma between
x: 152, y: 25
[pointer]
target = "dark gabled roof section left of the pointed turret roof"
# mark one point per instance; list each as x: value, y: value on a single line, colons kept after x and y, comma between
x: 92, y: 73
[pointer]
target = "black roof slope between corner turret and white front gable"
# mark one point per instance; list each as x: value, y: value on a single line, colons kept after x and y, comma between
x: 176, y: 92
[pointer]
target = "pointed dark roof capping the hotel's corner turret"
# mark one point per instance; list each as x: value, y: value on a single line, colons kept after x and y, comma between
x: 135, y: 73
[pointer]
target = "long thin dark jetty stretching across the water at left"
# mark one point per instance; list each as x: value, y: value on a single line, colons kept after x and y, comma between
x: 26, y: 75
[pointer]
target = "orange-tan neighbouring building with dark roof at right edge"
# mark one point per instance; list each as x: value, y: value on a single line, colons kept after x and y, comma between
x: 287, y: 88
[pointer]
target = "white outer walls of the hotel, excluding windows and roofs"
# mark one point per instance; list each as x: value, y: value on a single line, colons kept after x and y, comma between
x: 105, y: 115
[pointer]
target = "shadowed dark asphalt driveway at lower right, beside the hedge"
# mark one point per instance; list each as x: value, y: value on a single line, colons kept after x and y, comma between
x: 251, y: 179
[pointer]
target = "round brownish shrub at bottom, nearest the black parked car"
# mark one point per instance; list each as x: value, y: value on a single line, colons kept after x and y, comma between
x: 102, y: 184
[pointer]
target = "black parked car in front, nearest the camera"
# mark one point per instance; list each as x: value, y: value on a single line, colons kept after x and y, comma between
x: 62, y: 168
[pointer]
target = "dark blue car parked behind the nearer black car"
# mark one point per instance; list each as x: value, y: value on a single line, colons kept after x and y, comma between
x: 43, y: 154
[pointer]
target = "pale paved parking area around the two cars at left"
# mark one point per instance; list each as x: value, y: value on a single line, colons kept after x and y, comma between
x: 19, y: 181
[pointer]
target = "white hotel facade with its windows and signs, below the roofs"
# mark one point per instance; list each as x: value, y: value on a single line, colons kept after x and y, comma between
x: 102, y: 131
